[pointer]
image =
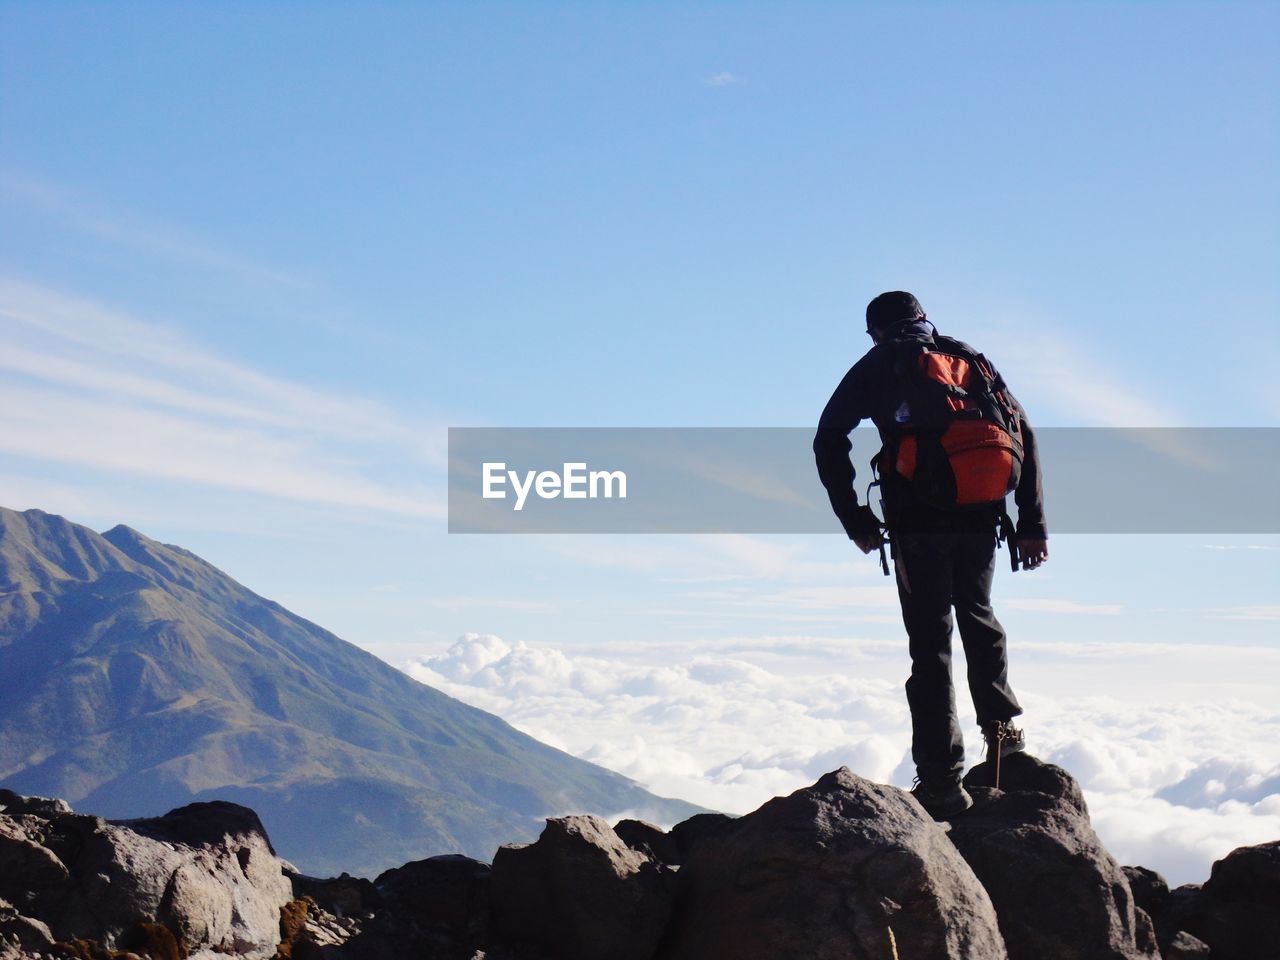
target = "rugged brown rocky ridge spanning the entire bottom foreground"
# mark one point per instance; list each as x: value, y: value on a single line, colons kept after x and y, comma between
x: 844, y: 868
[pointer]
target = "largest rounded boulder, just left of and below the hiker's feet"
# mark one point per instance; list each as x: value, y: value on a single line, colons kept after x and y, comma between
x: 845, y: 868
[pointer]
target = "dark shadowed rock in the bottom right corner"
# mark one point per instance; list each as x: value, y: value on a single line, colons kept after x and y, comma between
x: 1237, y: 913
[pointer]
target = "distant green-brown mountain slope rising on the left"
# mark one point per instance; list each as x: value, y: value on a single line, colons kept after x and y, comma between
x: 136, y: 678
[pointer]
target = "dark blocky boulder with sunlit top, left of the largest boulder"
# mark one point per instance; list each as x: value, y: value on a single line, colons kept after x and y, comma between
x: 580, y: 893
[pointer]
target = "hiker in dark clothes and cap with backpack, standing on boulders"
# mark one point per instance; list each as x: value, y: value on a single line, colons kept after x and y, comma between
x: 954, y: 444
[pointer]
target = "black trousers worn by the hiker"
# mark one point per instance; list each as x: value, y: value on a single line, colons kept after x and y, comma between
x: 938, y: 572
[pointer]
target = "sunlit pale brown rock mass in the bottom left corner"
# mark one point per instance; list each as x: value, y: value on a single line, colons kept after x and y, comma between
x: 205, y: 872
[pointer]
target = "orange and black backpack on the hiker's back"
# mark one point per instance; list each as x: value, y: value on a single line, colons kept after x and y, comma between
x: 956, y: 437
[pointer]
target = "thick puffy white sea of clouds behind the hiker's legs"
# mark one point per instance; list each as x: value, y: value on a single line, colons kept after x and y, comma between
x: 1173, y: 783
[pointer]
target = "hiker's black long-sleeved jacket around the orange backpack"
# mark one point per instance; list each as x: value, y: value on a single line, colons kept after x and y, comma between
x: 870, y: 392
